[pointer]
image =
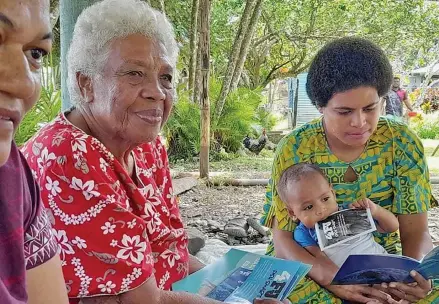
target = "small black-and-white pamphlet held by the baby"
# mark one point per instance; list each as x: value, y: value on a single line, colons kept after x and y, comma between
x: 343, y: 226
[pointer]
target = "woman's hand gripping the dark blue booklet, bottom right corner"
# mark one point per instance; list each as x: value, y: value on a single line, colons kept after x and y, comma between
x: 411, y: 292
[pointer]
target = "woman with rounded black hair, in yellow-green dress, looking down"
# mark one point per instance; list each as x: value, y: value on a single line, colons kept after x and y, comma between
x: 364, y: 156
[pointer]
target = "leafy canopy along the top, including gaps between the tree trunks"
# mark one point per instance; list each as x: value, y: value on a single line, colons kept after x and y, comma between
x: 290, y: 32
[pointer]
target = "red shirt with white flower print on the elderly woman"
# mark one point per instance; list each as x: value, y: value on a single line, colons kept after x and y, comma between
x: 114, y: 232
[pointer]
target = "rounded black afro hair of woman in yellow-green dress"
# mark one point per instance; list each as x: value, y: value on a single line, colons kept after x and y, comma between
x: 346, y: 64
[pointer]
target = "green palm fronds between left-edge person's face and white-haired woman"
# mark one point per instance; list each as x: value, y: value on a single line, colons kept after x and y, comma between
x: 46, y: 108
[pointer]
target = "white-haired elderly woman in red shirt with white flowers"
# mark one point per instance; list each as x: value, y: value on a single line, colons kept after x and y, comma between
x: 102, y: 168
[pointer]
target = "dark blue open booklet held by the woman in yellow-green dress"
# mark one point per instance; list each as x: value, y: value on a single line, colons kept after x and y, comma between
x: 376, y: 269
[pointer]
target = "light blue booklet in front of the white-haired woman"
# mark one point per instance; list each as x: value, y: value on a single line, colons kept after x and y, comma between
x: 240, y: 277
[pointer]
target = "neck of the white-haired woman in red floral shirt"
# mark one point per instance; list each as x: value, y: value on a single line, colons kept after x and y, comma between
x: 118, y: 147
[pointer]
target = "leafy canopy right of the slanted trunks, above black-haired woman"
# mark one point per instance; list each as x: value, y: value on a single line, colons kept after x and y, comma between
x: 404, y: 29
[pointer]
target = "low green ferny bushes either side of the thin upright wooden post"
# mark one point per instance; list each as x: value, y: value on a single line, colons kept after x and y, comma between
x: 241, y: 112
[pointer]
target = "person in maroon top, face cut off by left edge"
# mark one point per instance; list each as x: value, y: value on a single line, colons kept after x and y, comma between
x: 30, y: 269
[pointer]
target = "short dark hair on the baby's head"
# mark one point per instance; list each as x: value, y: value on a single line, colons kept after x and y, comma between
x: 295, y: 173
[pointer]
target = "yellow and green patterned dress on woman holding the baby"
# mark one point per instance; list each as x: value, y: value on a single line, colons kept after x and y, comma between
x: 392, y: 172
